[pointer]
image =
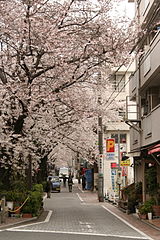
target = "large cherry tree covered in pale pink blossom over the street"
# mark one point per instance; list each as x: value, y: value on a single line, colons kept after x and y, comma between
x: 50, y: 54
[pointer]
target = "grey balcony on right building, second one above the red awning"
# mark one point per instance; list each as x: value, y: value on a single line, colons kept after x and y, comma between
x: 150, y: 64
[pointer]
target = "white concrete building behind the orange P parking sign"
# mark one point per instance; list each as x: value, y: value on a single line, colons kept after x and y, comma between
x: 117, y: 176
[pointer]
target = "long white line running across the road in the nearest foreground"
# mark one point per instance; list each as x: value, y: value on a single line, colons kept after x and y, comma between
x: 77, y: 233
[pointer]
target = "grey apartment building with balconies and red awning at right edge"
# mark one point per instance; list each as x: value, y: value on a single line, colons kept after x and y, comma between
x: 145, y: 92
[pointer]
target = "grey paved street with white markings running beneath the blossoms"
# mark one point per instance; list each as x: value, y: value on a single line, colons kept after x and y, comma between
x: 70, y: 216
